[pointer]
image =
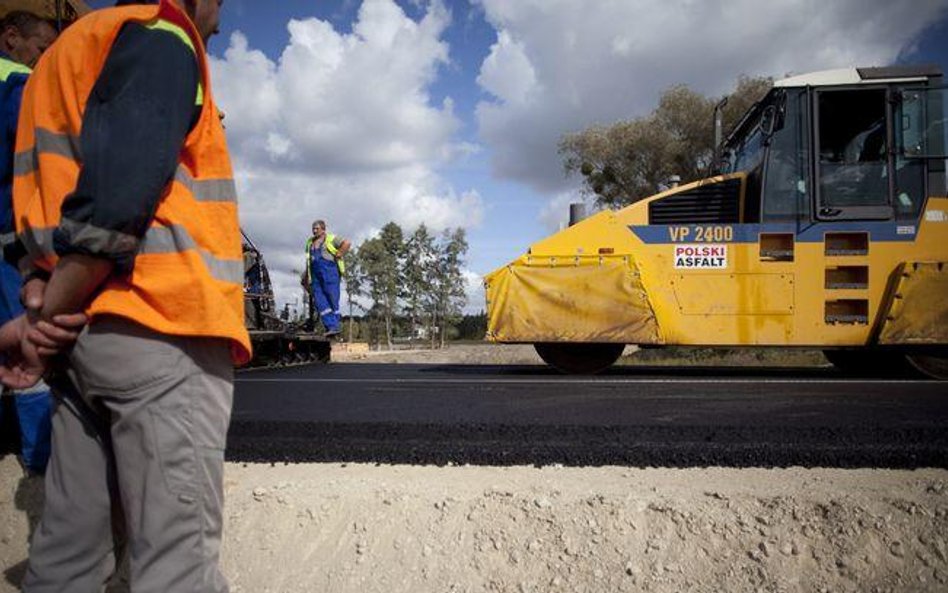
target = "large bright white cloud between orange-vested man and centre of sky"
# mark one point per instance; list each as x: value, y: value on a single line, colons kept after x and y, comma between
x: 342, y: 127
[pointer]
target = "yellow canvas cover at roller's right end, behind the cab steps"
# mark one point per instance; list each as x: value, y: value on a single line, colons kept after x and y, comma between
x: 919, y: 306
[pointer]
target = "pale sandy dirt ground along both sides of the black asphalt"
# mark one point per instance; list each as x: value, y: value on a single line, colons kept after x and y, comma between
x: 366, y: 528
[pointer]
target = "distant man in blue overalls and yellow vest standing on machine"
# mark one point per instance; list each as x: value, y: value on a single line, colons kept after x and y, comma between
x: 324, y: 270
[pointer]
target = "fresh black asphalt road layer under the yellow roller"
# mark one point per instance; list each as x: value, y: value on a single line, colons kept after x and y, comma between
x: 631, y: 416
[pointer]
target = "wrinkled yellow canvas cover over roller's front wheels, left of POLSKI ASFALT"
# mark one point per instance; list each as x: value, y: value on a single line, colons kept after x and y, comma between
x: 581, y: 299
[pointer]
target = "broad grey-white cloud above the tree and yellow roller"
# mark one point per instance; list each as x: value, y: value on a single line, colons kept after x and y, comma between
x: 561, y: 65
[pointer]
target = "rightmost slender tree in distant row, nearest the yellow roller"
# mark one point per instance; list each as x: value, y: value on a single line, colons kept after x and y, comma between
x: 449, y: 296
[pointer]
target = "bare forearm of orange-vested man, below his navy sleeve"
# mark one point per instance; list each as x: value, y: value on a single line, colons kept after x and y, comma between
x: 73, y: 283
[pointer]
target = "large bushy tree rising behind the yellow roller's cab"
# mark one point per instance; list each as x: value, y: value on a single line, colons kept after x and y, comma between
x: 631, y: 160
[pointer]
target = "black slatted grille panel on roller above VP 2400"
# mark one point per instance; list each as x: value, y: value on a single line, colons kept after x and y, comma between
x: 715, y: 202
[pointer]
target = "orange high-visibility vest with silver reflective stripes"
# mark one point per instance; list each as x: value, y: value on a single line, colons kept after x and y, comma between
x: 188, y: 274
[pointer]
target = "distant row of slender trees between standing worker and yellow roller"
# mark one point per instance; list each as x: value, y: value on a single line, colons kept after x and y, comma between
x: 409, y: 282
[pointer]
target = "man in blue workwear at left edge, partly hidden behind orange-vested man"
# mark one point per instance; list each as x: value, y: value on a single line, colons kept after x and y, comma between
x: 24, y: 37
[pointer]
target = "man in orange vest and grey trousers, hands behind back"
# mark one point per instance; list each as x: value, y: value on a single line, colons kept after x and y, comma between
x: 125, y: 206
